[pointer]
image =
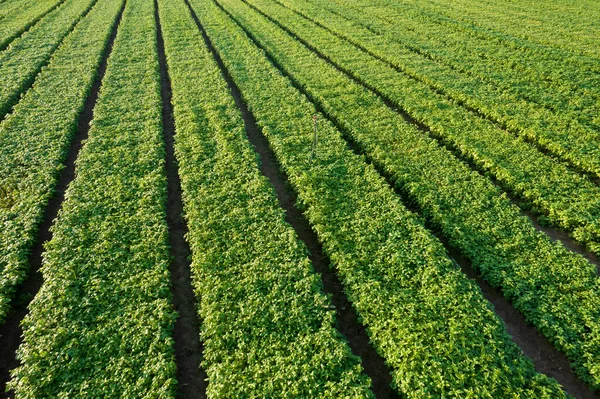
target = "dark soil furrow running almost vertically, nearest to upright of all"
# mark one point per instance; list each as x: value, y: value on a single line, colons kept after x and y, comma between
x: 192, y: 380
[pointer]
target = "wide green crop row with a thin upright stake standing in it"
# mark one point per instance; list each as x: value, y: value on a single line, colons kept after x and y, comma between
x: 403, y: 286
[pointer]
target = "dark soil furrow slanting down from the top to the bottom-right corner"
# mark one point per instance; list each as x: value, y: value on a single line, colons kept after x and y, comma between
x: 546, y: 358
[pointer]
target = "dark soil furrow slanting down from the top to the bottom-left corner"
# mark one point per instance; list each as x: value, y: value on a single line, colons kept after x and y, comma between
x: 11, y: 331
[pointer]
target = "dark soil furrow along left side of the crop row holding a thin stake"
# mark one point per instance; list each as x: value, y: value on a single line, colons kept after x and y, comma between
x: 347, y: 320
